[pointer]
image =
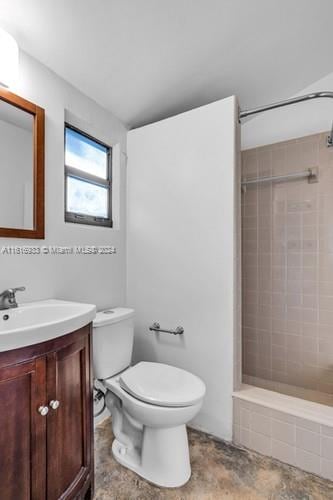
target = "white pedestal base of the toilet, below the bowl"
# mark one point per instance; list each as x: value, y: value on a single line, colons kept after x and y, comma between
x: 163, y: 459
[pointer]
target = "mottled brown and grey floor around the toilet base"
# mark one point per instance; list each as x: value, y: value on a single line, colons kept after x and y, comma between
x: 219, y: 471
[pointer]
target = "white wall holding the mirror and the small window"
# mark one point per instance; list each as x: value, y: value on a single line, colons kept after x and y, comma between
x: 95, y: 279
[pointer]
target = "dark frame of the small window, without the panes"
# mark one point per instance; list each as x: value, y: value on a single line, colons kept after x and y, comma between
x: 76, y: 173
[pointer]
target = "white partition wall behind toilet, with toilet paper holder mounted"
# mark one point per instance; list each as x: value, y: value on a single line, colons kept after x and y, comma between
x: 181, y: 248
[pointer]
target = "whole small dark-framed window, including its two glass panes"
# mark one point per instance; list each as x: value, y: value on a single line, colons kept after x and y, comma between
x: 88, y: 183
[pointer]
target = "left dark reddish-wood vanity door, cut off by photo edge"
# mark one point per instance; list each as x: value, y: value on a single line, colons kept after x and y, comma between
x: 22, y: 431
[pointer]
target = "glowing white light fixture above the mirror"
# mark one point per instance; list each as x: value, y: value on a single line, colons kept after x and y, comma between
x: 9, y: 54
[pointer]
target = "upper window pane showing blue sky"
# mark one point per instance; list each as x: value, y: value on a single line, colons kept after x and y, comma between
x: 85, y: 154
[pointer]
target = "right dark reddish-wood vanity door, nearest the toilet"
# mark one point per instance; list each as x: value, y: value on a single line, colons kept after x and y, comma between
x: 69, y: 426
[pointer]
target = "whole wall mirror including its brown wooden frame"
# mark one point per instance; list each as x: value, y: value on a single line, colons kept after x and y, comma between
x: 21, y: 167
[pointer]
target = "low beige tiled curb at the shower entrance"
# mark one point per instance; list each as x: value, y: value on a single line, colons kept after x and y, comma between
x: 293, y: 430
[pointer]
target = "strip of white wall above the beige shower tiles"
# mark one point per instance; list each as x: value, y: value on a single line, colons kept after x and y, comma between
x: 291, y: 121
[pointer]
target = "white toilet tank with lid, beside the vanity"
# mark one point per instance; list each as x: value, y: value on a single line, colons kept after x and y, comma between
x: 113, y: 333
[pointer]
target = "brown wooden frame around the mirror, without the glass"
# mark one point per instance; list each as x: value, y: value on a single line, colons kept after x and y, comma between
x: 37, y: 232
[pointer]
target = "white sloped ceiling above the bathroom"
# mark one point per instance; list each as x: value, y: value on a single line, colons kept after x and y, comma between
x: 145, y: 60
